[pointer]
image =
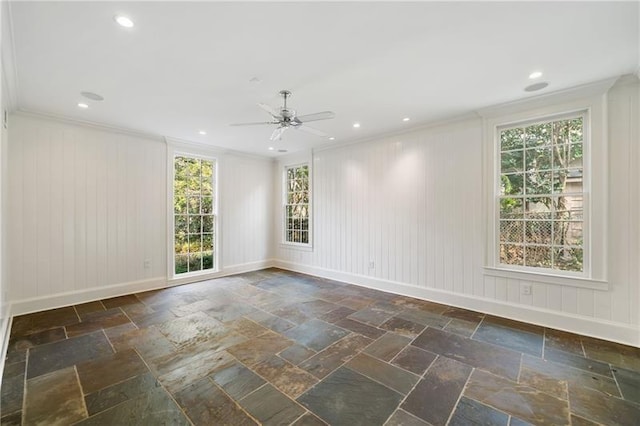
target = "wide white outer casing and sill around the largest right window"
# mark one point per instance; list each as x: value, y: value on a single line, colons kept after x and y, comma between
x: 592, y: 99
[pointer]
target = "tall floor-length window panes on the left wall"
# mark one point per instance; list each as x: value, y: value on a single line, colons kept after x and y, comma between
x: 194, y: 207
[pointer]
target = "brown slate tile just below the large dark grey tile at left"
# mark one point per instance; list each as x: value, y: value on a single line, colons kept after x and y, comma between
x: 106, y: 371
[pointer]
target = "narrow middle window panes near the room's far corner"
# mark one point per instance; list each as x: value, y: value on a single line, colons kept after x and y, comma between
x: 296, y: 207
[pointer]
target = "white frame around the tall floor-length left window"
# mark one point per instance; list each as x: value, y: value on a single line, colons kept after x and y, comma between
x: 171, y: 258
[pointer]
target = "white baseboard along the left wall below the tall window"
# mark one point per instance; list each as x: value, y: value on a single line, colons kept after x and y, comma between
x: 59, y: 300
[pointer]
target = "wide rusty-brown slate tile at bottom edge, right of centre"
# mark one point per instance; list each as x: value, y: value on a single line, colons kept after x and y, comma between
x: 521, y: 401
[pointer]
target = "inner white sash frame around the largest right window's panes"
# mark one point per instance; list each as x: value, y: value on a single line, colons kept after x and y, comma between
x: 586, y: 213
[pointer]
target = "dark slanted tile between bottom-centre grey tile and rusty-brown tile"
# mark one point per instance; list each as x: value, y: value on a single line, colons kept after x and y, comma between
x: 434, y: 398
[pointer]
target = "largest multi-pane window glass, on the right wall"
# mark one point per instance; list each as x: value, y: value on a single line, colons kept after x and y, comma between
x: 541, y: 217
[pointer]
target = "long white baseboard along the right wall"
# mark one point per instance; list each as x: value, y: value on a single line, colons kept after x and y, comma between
x: 602, y: 329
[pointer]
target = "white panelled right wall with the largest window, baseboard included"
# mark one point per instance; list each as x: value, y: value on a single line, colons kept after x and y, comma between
x: 413, y: 205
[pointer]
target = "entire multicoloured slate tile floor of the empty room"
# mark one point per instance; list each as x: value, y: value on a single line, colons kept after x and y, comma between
x: 276, y: 348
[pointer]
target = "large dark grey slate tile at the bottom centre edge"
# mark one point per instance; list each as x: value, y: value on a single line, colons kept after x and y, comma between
x: 349, y: 398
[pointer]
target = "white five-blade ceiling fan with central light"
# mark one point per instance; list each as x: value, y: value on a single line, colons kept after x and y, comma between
x: 286, y: 118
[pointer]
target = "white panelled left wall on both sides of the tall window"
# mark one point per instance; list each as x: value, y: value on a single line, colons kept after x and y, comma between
x: 88, y: 207
